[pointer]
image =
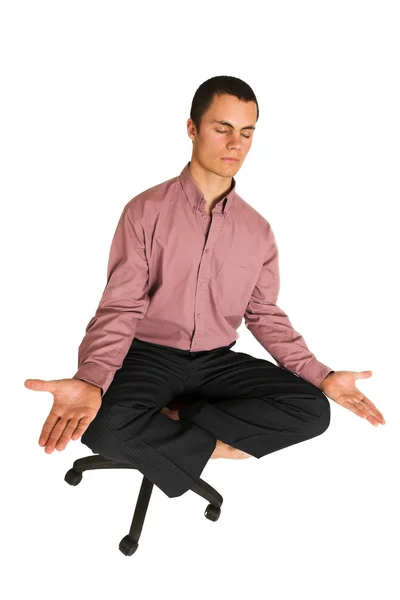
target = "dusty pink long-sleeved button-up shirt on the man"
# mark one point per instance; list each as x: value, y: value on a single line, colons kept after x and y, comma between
x: 181, y: 277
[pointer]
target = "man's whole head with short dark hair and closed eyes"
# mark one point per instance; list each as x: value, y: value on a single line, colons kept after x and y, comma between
x: 232, y: 102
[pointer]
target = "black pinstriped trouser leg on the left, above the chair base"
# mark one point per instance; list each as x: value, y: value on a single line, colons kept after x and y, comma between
x: 130, y: 427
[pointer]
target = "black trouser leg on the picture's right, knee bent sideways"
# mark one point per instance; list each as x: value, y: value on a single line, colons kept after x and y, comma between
x: 252, y: 404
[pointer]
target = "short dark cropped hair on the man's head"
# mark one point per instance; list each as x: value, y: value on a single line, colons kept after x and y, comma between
x: 221, y: 84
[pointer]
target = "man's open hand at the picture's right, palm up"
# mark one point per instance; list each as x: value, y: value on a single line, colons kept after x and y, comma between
x: 340, y: 386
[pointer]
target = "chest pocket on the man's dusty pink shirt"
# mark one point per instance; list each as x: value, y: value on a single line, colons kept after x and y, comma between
x: 234, y: 284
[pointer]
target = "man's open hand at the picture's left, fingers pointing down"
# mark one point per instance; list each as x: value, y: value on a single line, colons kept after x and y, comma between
x: 76, y: 403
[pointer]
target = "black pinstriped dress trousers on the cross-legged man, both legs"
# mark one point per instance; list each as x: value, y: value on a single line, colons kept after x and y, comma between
x: 246, y: 402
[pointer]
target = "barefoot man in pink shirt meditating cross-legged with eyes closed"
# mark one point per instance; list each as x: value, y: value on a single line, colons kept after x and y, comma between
x: 189, y: 259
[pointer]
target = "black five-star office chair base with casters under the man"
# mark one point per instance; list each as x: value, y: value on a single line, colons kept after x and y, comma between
x: 129, y: 544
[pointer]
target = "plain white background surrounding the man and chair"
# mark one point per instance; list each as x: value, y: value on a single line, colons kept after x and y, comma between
x: 94, y: 102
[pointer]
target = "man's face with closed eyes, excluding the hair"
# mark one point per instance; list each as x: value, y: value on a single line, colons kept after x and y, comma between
x: 216, y: 141
